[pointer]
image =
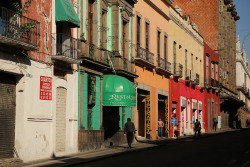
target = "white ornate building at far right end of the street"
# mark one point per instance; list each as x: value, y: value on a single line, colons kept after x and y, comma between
x: 242, y: 82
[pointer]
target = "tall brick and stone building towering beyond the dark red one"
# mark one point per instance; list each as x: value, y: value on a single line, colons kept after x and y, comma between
x: 220, y: 34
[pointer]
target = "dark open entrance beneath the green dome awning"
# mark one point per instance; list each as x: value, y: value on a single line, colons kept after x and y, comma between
x: 111, y: 120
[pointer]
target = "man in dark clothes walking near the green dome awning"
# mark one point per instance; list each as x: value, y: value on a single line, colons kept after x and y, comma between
x: 129, y: 130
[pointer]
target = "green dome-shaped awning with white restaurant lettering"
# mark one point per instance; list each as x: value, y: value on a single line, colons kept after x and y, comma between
x: 118, y: 91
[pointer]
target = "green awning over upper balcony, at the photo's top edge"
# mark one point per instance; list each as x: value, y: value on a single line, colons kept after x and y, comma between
x: 66, y: 12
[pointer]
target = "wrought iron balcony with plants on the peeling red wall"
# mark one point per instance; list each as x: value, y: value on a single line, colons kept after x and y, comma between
x: 18, y: 30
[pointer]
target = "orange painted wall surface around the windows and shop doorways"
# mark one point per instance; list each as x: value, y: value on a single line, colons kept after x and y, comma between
x: 156, y: 22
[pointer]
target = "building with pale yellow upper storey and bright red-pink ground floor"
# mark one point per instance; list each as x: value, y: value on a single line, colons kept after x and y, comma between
x: 186, y: 96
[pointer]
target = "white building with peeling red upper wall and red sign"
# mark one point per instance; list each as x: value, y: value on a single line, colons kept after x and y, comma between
x: 38, y: 83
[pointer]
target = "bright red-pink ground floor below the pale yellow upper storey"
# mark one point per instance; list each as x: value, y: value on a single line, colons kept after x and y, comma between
x: 186, y: 101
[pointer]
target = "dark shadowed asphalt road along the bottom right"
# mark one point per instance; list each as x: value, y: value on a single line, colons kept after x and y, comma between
x: 227, y: 149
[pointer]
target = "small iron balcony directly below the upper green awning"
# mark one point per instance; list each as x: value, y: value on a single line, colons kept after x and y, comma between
x: 65, y: 48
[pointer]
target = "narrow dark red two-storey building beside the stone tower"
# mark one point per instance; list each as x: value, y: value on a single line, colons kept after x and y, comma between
x: 211, y: 88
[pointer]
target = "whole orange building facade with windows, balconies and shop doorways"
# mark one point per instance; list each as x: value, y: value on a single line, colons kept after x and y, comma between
x: 151, y: 33
